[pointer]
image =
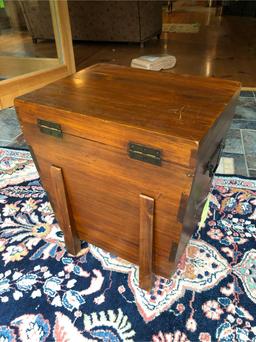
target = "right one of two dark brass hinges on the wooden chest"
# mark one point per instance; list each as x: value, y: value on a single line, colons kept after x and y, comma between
x: 145, y: 154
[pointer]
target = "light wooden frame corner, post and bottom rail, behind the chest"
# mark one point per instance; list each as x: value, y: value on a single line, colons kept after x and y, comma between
x: 51, y: 69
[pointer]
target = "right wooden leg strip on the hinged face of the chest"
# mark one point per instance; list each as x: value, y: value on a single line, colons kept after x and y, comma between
x: 146, y: 242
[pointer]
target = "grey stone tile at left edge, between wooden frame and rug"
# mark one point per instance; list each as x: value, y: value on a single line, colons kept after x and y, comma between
x: 9, y: 124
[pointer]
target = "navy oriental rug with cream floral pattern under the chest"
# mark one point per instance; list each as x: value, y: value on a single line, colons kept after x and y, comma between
x: 48, y: 295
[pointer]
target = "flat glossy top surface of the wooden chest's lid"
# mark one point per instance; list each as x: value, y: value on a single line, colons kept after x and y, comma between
x: 176, y: 105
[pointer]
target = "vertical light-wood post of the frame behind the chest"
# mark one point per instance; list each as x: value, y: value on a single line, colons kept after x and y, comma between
x: 62, y: 33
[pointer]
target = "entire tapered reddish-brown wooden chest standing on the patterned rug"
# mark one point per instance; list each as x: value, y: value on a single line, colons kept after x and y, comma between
x: 127, y: 157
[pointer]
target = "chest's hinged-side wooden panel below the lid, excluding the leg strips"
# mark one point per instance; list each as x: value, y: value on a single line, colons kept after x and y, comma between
x: 104, y: 184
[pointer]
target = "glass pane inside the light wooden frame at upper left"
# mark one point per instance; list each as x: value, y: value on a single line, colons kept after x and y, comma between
x: 26, y: 38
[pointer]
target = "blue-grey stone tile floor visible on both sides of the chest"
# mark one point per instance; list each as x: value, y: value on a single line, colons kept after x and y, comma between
x: 238, y: 157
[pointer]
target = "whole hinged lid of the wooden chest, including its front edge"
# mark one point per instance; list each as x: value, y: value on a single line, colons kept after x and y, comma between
x: 116, y: 105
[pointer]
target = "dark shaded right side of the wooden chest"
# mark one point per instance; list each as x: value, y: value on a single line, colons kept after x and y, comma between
x: 206, y: 161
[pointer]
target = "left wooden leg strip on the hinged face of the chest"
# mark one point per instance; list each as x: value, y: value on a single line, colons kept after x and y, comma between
x: 63, y: 211
